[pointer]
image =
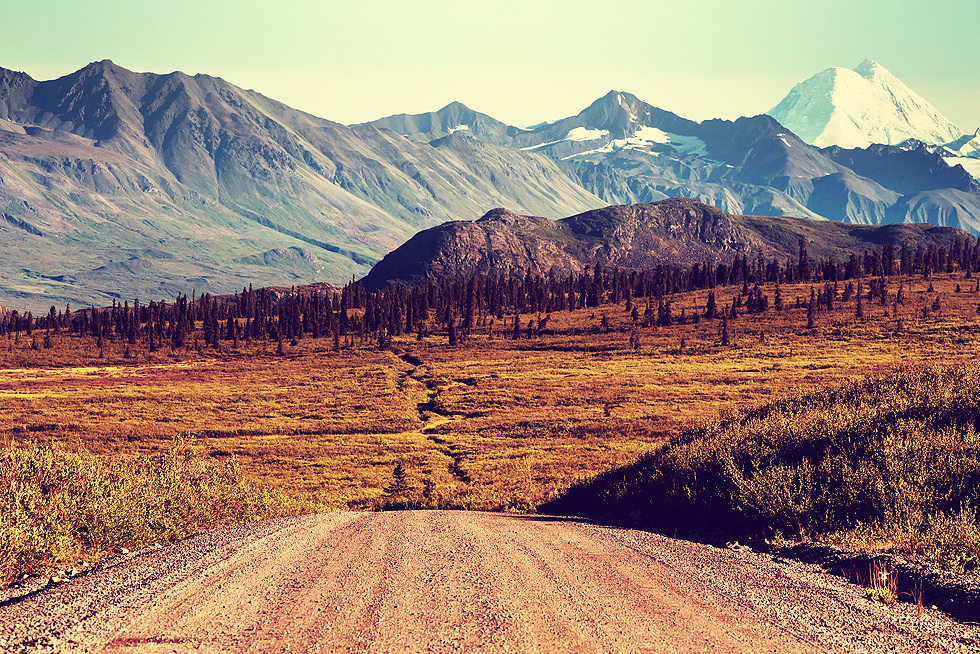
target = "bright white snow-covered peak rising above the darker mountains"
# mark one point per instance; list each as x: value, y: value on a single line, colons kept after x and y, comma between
x: 855, y: 108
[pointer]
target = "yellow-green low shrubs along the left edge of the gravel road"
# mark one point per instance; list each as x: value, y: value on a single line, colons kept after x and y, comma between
x: 58, y: 507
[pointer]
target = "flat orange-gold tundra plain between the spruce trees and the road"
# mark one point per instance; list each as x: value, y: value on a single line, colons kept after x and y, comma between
x: 492, y: 423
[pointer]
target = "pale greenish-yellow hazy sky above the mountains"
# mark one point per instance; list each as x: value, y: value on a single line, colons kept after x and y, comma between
x: 522, y: 62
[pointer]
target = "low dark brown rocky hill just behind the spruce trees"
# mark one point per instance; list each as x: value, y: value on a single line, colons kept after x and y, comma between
x: 641, y: 236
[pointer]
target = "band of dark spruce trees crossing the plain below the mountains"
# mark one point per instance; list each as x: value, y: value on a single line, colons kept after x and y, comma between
x: 459, y: 305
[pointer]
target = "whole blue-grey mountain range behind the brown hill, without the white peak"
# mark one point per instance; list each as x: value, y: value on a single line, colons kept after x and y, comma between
x: 116, y: 184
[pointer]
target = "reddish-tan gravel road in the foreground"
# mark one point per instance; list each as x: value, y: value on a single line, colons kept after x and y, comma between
x: 439, y: 581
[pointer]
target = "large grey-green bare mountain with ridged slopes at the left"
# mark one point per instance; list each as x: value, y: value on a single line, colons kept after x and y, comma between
x: 116, y: 184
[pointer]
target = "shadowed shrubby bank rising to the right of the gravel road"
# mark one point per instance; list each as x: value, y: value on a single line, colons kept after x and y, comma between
x: 891, y: 459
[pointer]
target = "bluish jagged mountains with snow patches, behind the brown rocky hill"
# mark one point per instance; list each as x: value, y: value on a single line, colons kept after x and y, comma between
x: 625, y: 150
